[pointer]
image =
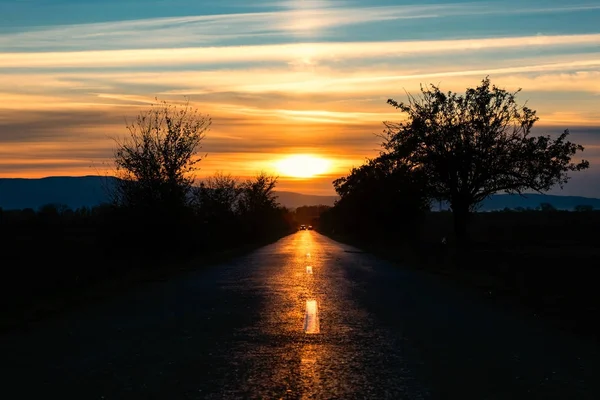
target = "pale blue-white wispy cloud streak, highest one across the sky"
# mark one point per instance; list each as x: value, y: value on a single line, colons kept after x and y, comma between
x: 298, y: 20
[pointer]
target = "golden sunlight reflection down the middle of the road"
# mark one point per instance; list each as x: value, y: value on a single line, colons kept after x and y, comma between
x: 320, y: 344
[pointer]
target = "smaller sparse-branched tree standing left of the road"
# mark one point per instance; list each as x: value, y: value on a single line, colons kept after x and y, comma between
x: 156, y: 161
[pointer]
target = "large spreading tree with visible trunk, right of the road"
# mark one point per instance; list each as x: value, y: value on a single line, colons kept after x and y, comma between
x: 474, y: 145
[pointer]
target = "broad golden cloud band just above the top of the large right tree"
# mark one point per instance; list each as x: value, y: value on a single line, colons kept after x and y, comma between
x: 256, y: 86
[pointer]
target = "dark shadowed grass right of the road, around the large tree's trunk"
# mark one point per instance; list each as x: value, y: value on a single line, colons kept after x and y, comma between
x: 540, y: 264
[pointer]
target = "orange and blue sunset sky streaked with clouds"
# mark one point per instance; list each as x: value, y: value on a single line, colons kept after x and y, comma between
x: 281, y: 78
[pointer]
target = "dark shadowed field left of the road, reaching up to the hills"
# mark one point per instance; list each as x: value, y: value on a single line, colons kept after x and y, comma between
x: 54, y: 260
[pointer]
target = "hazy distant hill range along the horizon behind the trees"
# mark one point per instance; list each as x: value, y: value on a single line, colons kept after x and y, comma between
x: 88, y: 191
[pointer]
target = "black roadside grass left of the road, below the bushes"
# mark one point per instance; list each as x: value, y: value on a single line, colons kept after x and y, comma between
x: 46, y: 273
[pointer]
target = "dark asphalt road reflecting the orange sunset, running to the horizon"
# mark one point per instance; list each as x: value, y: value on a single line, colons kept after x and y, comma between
x: 263, y: 326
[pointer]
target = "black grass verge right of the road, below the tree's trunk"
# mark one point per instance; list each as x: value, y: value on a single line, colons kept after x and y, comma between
x: 553, y: 282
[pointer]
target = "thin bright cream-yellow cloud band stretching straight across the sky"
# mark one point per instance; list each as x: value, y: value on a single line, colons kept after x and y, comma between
x: 304, y: 52
